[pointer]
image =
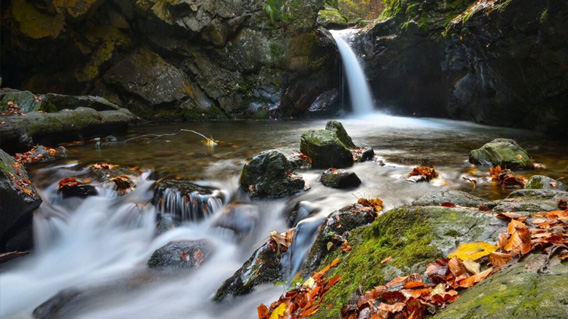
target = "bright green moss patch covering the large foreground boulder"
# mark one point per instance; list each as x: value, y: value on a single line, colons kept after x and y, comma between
x: 404, y: 234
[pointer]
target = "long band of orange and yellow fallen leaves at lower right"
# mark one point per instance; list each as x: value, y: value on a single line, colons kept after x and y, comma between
x: 415, y: 296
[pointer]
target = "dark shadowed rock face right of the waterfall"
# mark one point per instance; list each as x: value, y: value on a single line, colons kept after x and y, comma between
x: 502, y: 66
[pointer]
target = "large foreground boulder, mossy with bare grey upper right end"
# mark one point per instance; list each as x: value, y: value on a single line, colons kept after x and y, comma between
x: 413, y: 237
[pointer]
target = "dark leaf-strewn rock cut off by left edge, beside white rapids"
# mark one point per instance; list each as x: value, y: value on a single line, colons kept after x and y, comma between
x: 18, y: 201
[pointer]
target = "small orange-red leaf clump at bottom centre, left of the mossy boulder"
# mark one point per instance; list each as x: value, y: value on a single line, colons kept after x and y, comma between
x: 304, y: 301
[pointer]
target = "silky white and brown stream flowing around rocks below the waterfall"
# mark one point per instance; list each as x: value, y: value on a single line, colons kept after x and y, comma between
x: 101, y: 244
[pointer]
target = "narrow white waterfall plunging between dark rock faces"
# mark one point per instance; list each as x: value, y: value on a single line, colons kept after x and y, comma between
x: 358, y: 88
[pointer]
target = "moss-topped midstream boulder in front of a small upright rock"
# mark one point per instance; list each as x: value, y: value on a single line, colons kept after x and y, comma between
x: 325, y: 149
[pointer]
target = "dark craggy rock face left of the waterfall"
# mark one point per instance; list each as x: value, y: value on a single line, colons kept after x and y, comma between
x: 172, y: 60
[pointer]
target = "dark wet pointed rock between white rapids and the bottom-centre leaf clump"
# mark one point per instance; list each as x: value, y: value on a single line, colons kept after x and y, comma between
x: 264, y: 266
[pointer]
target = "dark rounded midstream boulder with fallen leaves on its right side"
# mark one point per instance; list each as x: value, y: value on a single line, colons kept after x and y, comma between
x: 268, y: 174
